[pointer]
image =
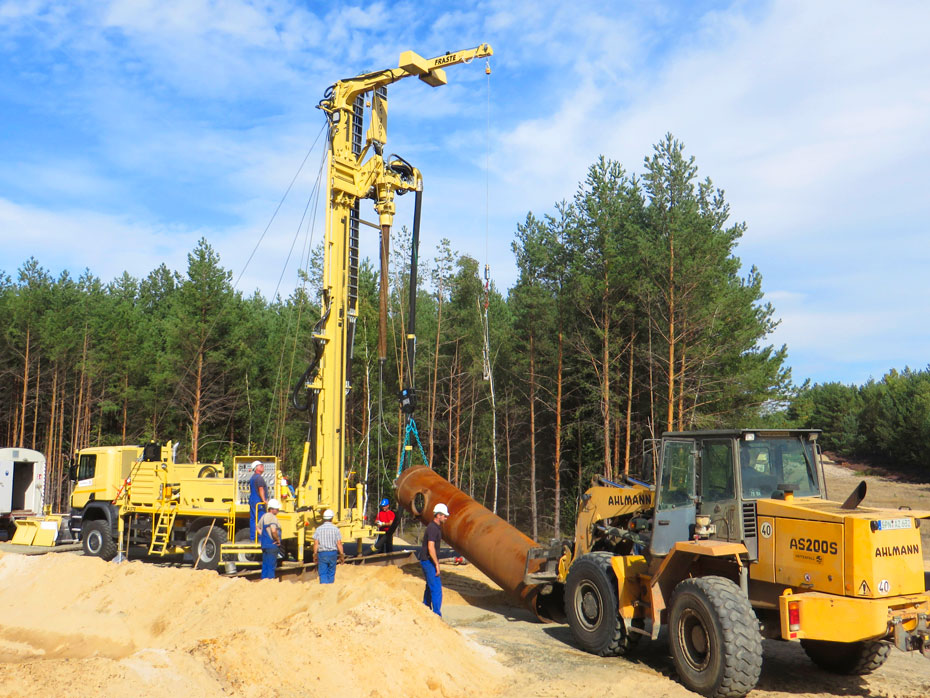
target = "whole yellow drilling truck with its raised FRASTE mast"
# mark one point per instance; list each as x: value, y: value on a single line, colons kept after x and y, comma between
x: 140, y: 495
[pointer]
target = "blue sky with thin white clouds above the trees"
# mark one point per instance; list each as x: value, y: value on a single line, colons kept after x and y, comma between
x: 130, y: 129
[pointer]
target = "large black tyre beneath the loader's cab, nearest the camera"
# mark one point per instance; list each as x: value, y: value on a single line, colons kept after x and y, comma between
x: 714, y: 638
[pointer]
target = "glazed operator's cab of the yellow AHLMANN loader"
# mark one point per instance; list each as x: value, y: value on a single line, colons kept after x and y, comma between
x: 719, y: 475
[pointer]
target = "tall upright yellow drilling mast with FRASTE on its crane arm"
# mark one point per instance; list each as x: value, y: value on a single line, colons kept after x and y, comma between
x: 357, y: 168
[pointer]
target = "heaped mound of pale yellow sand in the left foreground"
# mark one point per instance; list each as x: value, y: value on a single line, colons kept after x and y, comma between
x: 76, y: 626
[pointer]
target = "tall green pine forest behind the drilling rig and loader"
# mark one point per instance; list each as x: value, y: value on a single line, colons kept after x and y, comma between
x: 631, y: 315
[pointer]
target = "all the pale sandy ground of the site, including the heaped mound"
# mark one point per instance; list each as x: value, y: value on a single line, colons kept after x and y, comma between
x: 76, y: 626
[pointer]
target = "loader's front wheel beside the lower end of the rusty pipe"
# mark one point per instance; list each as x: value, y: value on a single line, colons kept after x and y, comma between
x: 592, y: 608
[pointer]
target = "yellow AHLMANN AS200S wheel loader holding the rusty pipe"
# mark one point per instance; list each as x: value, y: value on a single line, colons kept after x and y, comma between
x: 740, y: 543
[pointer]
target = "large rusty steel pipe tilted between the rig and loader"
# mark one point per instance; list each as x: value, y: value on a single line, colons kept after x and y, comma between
x: 490, y: 543
